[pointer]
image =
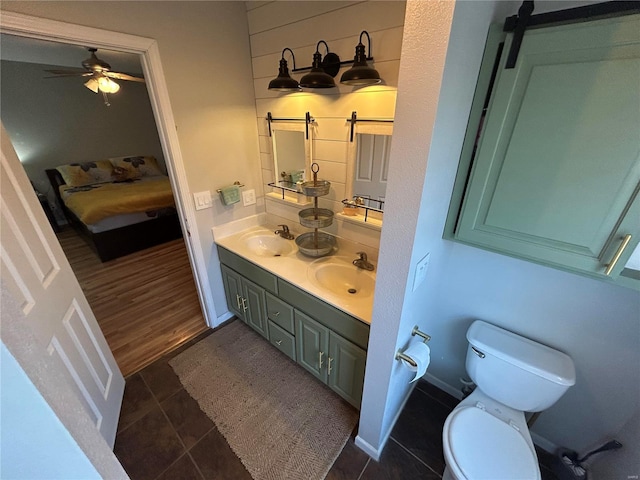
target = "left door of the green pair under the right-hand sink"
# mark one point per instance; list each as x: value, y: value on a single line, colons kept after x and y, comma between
x: 312, y: 345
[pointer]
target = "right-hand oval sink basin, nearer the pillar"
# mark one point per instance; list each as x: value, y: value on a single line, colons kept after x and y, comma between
x: 339, y: 276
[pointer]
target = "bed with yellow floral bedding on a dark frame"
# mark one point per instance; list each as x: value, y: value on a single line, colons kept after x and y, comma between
x: 119, y: 206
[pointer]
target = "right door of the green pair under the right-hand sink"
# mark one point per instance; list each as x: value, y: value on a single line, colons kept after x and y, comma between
x: 345, y: 369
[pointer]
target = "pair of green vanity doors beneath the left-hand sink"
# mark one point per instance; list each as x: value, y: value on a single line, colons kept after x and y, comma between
x: 246, y: 300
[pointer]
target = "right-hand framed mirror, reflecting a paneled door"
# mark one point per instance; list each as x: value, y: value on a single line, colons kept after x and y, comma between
x: 367, y: 169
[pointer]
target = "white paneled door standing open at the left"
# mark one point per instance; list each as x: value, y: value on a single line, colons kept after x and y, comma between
x: 36, y: 270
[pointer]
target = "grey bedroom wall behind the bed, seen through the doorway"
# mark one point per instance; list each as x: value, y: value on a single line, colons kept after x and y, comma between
x: 57, y: 121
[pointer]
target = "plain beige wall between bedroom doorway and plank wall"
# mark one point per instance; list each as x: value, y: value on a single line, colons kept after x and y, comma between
x: 204, y: 49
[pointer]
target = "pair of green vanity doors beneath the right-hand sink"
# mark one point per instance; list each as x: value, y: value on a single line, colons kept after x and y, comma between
x: 330, y: 358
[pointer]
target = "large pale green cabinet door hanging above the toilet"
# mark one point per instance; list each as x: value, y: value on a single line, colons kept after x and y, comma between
x: 557, y: 169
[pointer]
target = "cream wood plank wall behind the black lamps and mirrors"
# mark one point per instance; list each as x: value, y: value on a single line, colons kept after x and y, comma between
x: 299, y: 26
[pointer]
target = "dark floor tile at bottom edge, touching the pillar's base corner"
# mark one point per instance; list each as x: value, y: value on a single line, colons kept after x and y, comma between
x: 396, y: 463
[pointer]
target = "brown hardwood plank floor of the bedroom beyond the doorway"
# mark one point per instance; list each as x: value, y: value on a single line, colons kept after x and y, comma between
x: 145, y: 303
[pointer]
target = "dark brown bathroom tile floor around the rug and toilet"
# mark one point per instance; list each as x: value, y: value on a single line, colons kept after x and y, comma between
x: 163, y: 435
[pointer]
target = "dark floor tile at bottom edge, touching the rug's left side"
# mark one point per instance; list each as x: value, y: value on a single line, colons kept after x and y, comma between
x: 215, y: 459
